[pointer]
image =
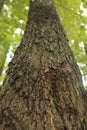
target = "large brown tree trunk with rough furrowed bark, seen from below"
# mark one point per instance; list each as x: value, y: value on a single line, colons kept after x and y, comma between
x: 43, y: 89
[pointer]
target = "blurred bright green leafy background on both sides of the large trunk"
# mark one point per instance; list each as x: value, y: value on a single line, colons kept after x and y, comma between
x: 73, y: 16
